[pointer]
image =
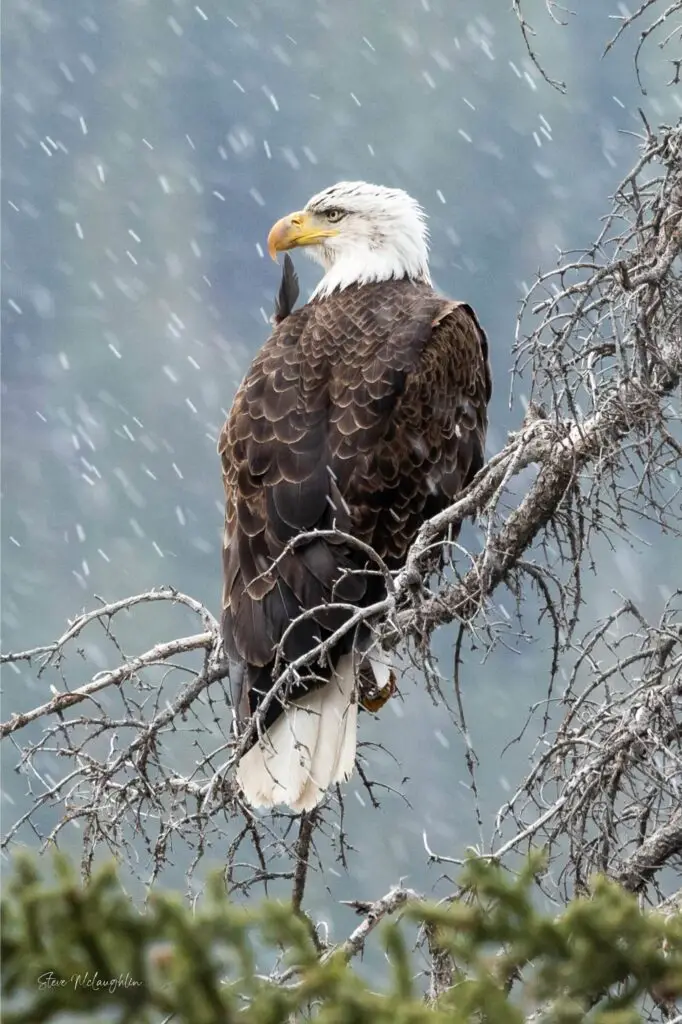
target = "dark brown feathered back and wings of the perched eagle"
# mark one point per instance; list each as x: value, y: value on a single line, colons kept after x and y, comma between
x: 365, y: 411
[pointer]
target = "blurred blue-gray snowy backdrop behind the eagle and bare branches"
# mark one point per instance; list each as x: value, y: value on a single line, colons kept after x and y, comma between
x: 148, y: 148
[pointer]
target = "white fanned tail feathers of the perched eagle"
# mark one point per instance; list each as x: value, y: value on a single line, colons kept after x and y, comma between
x: 309, y: 749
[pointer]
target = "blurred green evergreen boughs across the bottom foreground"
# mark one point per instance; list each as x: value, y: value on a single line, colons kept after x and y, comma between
x: 89, y: 952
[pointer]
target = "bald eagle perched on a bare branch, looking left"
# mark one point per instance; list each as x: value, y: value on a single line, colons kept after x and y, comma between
x: 365, y: 413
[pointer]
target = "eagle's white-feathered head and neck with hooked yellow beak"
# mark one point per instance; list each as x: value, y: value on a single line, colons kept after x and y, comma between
x: 360, y: 234
